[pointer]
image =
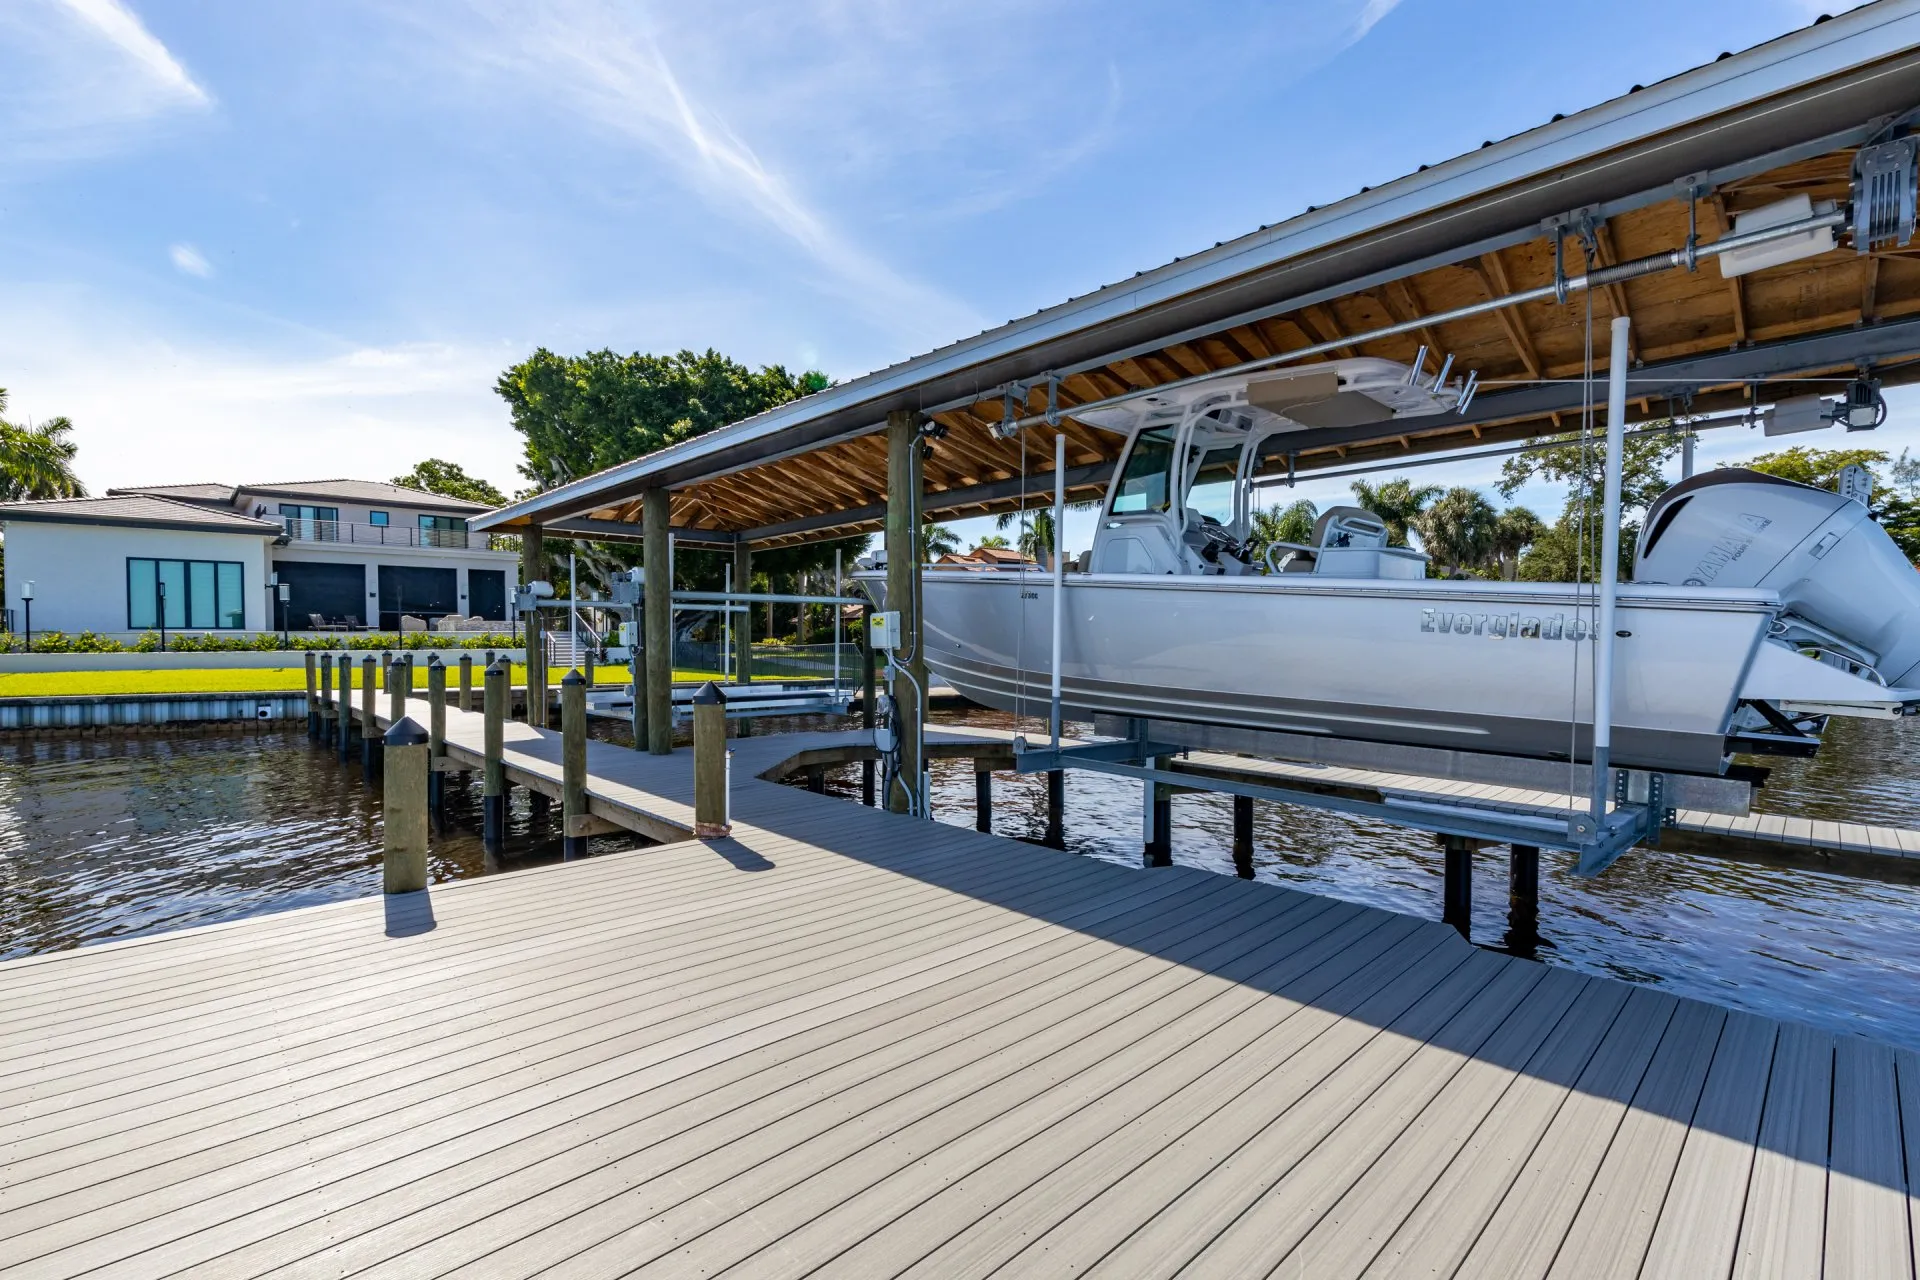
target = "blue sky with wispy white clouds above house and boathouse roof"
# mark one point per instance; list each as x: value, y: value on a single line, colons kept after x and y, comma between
x: 295, y: 241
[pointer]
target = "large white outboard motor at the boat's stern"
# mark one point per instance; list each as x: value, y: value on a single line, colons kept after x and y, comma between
x: 1842, y: 581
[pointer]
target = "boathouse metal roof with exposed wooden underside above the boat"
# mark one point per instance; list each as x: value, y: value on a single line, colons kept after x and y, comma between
x: 1733, y: 135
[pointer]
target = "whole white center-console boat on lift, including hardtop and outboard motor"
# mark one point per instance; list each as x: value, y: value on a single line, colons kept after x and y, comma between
x: 1758, y: 605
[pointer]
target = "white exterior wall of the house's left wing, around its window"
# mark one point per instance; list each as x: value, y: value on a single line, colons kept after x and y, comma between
x: 80, y: 571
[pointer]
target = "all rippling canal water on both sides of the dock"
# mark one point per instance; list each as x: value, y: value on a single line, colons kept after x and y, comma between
x: 107, y: 838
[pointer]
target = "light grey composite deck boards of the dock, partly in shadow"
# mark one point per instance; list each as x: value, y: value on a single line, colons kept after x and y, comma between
x: 848, y: 1043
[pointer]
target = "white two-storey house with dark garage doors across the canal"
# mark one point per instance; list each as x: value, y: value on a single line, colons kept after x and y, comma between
x: 206, y: 557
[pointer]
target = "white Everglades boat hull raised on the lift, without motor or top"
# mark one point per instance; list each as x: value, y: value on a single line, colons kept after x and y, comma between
x: 1481, y: 667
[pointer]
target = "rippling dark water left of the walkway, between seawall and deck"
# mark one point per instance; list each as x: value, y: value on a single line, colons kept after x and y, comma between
x: 110, y: 838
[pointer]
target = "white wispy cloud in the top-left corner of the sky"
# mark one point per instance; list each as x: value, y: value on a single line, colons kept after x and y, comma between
x: 78, y: 76
